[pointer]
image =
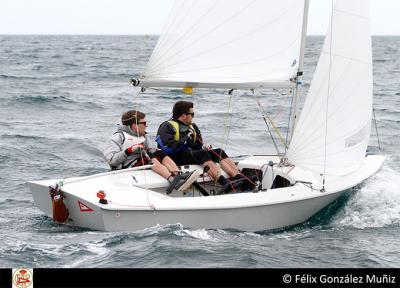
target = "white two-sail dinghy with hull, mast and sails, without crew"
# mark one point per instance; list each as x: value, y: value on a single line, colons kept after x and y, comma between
x: 247, y: 45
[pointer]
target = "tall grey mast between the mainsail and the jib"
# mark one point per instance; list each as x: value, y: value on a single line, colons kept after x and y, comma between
x: 295, y: 112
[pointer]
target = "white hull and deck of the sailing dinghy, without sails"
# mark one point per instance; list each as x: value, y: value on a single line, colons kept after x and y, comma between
x: 133, y: 208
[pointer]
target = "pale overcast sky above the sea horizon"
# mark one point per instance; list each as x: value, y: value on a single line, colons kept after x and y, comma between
x: 146, y: 16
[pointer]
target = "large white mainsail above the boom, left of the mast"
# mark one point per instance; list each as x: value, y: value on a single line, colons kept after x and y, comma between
x: 228, y: 41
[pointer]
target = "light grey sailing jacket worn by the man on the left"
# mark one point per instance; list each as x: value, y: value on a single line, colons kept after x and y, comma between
x: 114, y: 153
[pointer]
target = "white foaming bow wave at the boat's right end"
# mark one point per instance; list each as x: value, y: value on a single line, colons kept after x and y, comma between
x: 376, y: 204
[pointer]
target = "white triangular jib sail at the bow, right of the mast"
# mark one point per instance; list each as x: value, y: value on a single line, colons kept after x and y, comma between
x: 333, y: 130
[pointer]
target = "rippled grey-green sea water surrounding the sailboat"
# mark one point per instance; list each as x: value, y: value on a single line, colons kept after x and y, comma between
x: 60, y: 99
